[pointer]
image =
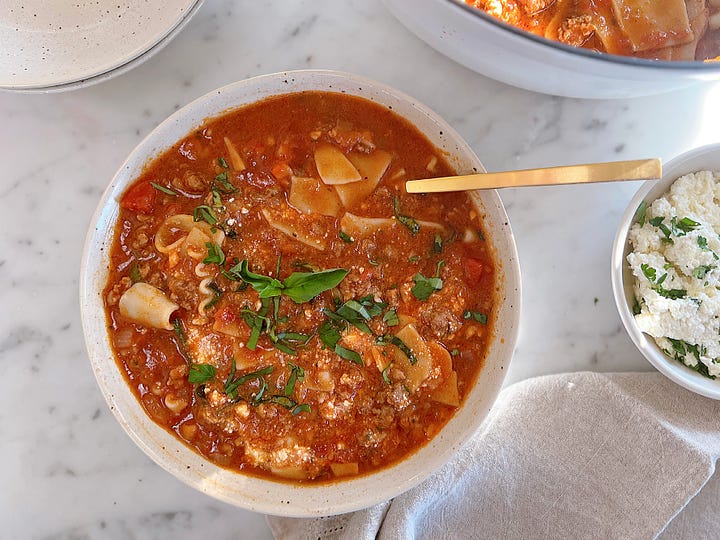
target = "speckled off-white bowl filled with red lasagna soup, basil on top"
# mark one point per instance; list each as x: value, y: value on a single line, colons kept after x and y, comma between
x: 274, y: 320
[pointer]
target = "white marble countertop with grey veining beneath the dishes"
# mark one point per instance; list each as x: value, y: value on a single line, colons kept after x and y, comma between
x: 68, y: 470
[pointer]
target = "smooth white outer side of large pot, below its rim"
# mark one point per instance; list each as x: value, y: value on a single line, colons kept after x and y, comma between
x: 507, y: 54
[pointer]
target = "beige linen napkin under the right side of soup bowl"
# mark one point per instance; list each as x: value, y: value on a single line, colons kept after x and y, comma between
x: 582, y: 455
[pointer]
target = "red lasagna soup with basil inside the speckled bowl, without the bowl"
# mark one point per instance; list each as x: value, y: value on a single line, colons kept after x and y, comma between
x: 280, y: 303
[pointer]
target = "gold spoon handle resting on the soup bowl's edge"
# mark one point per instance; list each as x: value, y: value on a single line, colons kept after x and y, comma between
x: 639, y: 169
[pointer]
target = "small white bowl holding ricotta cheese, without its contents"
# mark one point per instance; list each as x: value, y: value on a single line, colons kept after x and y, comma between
x: 704, y: 158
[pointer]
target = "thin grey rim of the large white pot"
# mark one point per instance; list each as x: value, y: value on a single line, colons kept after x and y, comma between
x: 642, y: 63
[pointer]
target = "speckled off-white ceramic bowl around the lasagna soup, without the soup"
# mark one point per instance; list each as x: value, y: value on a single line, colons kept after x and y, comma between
x: 250, y: 492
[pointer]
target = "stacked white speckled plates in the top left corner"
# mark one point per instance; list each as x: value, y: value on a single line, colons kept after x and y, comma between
x: 50, y: 44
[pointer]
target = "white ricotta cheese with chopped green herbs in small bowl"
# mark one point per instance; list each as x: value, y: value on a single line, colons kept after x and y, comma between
x: 675, y: 259
